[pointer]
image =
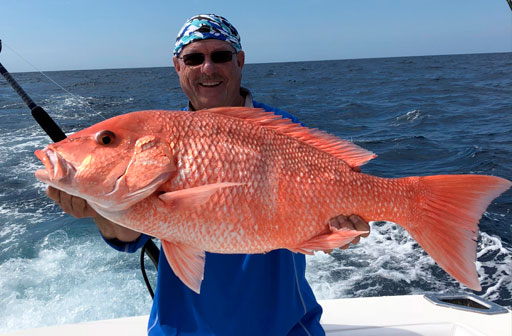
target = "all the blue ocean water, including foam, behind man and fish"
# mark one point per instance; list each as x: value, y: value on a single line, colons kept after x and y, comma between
x: 421, y: 115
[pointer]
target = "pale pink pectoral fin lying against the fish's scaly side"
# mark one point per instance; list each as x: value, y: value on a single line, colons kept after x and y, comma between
x: 193, y: 197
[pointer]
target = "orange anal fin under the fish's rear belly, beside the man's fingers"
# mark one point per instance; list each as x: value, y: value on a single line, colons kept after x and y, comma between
x: 327, y: 241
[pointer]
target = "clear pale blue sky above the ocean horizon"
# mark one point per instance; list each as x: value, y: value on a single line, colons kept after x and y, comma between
x: 104, y: 34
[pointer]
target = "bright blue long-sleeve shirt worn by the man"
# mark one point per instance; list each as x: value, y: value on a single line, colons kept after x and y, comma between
x: 241, y: 294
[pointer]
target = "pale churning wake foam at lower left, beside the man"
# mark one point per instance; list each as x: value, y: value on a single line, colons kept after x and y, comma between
x: 70, y: 280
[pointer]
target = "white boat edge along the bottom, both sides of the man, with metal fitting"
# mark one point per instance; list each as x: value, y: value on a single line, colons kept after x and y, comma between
x: 457, y: 314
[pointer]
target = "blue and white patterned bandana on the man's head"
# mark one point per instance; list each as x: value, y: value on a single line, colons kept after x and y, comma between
x: 207, y: 26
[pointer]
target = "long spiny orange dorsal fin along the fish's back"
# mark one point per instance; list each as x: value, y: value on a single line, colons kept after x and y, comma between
x: 349, y: 152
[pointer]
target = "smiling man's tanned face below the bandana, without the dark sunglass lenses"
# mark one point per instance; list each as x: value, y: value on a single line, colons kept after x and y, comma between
x: 210, y: 84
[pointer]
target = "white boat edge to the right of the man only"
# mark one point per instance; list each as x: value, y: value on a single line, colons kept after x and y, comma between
x: 407, y: 316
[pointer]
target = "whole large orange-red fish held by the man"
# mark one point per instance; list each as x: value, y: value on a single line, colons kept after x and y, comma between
x: 239, y: 180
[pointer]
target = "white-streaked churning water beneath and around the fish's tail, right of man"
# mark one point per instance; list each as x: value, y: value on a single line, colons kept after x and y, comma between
x: 390, y: 262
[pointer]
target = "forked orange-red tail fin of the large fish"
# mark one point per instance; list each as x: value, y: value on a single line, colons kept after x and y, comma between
x: 450, y: 208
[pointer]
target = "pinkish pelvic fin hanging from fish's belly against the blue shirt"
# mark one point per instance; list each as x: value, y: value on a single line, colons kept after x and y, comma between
x: 187, y: 263
